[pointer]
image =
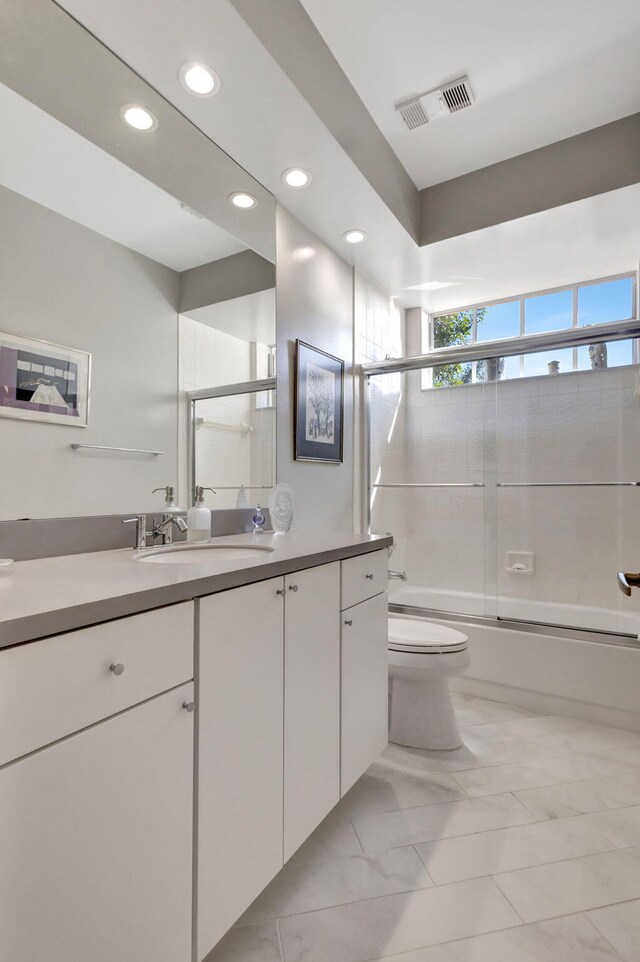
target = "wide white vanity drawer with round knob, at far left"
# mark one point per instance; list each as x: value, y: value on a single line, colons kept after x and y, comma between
x: 53, y: 687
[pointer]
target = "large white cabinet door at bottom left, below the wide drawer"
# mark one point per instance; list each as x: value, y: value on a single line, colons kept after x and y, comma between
x: 96, y: 842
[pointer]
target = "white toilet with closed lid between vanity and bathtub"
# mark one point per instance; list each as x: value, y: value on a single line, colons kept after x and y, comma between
x: 422, y: 657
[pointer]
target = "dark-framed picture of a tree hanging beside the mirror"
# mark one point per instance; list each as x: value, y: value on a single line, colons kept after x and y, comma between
x: 319, y: 405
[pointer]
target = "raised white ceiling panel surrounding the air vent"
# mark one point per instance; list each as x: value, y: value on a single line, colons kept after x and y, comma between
x: 540, y: 71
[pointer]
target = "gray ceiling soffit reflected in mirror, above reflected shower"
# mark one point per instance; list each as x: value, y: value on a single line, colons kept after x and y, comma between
x: 224, y: 280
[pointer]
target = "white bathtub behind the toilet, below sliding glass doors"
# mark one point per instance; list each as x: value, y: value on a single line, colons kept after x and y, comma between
x: 551, y: 670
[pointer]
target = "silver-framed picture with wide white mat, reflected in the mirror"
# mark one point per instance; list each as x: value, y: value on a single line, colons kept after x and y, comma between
x: 43, y: 382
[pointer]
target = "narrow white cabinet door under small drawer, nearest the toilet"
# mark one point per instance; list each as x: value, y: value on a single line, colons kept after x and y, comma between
x: 365, y: 683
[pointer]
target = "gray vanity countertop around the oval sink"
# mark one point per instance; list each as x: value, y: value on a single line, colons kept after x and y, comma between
x: 51, y: 595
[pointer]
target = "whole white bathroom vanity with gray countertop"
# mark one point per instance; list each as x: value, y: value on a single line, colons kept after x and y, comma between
x: 175, y: 734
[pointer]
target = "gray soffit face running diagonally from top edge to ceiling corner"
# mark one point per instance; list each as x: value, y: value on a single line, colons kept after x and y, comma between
x: 285, y: 29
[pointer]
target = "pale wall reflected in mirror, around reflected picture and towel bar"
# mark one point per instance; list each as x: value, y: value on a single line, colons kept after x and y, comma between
x: 63, y: 283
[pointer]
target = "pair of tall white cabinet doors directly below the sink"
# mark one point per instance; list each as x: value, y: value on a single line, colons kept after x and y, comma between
x: 268, y: 734
